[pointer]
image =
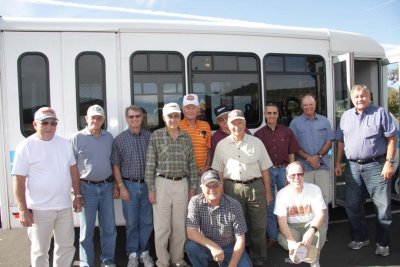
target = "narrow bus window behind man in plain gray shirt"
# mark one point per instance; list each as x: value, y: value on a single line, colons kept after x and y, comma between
x: 90, y: 84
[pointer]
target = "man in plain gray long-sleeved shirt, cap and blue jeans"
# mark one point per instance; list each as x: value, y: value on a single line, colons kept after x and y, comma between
x: 92, y: 148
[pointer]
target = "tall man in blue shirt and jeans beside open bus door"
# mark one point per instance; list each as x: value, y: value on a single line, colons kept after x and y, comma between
x: 368, y: 136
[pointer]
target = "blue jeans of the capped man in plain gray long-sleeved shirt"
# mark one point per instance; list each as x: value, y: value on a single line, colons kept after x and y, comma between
x: 97, y: 198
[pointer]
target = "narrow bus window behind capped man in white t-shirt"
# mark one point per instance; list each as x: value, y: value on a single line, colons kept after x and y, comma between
x: 33, y: 86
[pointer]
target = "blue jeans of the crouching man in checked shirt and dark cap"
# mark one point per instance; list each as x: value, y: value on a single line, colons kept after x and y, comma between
x: 199, y: 255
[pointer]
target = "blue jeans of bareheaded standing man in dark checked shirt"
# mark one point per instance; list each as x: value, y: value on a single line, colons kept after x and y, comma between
x: 138, y: 213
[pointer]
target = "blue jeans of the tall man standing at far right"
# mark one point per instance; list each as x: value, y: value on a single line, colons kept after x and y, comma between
x: 363, y: 181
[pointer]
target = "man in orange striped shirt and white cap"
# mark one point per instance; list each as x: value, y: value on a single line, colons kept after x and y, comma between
x: 199, y: 131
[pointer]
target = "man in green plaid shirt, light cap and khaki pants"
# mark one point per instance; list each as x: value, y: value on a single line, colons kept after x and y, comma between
x: 171, y: 179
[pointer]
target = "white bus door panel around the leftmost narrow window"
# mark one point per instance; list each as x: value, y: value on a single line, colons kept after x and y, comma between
x: 31, y: 65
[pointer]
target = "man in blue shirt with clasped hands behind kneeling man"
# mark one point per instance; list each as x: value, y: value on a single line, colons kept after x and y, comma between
x: 314, y: 135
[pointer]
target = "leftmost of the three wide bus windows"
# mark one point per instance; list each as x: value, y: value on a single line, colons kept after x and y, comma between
x: 157, y: 79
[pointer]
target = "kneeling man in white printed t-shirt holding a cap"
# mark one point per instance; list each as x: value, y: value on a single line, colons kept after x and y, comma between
x: 300, y: 209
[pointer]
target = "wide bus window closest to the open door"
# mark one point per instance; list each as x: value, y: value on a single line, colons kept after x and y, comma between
x: 287, y: 77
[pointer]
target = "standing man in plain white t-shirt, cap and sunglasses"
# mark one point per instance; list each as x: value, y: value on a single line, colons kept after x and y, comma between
x: 44, y: 171
